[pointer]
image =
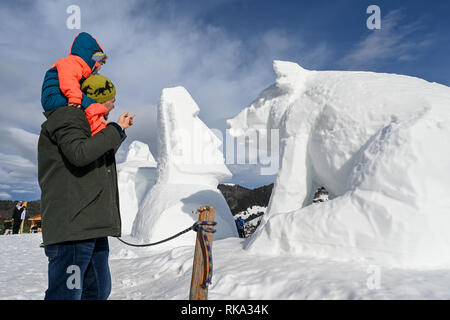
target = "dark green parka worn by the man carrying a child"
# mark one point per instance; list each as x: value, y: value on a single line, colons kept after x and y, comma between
x: 78, y: 178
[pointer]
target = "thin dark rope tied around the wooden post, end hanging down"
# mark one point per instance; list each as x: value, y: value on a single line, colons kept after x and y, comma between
x: 197, y: 226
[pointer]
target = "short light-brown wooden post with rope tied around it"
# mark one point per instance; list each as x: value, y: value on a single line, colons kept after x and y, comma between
x: 200, y: 267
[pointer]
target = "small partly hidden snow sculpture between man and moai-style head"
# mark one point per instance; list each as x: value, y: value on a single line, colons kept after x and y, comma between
x: 135, y: 176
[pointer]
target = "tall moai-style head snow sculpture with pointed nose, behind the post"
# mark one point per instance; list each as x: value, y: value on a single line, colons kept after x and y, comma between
x: 190, y: 166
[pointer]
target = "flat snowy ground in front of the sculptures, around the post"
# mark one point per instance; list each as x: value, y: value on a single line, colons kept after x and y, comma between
x: 144, y: 273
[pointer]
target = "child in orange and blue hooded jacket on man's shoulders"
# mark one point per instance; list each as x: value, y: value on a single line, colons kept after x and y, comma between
x: 63, y: 80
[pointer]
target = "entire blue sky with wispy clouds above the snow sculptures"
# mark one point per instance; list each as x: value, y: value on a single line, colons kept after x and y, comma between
x: 220, y: 51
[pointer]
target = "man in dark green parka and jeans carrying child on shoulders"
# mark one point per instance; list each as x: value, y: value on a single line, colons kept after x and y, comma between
x: 79, y: 200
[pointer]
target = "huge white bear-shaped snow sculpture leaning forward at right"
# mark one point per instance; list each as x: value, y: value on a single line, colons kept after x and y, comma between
x: 378, y: 143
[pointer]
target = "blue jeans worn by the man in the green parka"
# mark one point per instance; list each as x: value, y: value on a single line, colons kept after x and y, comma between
x: 78, y: 270
